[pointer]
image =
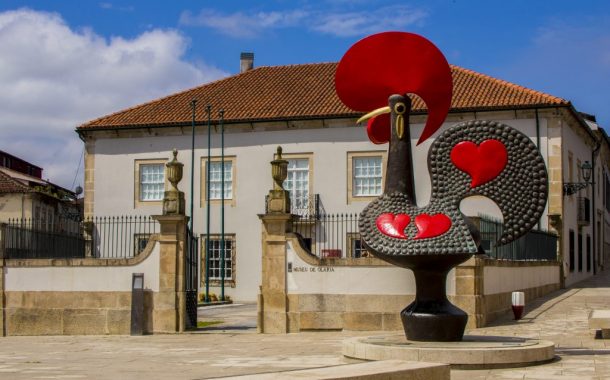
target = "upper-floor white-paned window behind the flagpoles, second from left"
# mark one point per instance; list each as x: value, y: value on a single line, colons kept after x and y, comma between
x: 216, y: 178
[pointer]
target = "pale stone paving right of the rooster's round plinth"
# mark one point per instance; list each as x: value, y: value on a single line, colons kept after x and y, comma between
x: 561, y: 317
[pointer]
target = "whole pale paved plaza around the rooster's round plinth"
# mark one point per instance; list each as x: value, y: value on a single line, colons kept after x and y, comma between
x: 234, y: 348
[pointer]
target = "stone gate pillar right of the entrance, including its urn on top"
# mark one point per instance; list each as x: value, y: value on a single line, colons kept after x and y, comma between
x: 273, y: 301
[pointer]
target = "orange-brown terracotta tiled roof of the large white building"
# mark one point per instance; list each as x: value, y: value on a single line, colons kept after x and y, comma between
x: 301, y: 92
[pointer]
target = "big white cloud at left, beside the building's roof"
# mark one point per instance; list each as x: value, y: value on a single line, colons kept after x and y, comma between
x: 54, y: 78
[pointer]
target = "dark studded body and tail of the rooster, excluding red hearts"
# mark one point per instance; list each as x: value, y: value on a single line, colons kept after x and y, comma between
x: 519, y: 190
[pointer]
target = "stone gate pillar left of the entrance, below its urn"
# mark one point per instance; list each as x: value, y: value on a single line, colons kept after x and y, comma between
x: 169, y: 310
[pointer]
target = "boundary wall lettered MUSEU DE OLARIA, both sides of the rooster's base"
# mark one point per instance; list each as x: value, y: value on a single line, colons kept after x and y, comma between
x: 340, y: 294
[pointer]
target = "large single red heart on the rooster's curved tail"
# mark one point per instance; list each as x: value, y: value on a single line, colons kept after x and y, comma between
x: 482, y: 162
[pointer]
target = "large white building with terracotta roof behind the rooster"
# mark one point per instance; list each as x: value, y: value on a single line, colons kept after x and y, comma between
x: 296, y: 107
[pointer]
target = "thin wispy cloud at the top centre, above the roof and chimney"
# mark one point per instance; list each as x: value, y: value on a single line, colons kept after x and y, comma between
x: 337, y: 23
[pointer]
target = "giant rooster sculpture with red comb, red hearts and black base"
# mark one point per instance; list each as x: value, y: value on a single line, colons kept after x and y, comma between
x: 487, y: 158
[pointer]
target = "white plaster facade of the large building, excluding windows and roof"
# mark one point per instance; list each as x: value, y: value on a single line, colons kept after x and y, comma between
x: 114, y: 179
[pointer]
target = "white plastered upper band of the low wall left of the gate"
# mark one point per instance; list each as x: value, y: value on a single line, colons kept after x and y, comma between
x: 84, y: 279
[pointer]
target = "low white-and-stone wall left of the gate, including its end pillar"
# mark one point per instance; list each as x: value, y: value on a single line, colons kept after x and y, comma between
x: 93, y: 296
